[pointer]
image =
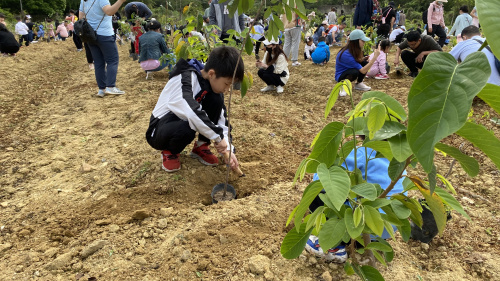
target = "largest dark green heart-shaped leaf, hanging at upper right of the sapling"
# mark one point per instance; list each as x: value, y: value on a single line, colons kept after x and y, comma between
x: 440, y: 99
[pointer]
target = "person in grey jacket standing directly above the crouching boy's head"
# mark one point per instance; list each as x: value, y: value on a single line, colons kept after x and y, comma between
x: 219, y: 15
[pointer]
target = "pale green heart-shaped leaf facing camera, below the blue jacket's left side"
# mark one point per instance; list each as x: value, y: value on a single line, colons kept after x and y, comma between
x: 336, y: 183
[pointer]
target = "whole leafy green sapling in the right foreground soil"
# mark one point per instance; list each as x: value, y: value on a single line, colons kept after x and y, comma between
x: 439, y: 102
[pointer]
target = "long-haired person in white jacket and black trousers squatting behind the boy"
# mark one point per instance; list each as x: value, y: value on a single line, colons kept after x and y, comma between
x: 273, y: 69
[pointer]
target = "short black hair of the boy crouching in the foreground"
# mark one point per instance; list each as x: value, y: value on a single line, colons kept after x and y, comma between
x: 223, y: 61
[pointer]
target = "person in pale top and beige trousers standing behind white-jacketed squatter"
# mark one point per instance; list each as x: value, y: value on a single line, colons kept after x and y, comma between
x: 292, y: 37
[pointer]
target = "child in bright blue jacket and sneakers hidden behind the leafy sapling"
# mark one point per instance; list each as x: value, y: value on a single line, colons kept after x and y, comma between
x: 374, y: 171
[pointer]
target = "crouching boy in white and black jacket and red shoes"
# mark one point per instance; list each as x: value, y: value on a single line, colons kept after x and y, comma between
x: 193, y: 102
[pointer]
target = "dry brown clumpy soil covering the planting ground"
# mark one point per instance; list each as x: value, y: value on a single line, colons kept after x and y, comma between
x: 83, y: 195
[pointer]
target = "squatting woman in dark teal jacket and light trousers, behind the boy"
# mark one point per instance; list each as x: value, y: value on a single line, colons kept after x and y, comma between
x: 152, y: 46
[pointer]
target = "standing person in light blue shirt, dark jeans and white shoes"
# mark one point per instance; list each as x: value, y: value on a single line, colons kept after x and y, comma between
x: 104, y: 51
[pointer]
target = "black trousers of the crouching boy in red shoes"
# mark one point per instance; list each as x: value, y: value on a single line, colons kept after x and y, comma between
x: 173, y: 134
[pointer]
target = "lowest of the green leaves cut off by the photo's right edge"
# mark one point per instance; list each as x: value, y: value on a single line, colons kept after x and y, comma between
x: 482, y: 139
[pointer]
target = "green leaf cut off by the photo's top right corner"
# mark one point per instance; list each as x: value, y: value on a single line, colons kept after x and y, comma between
x: 488, y: 11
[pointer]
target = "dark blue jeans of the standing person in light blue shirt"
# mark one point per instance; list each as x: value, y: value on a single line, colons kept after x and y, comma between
x: 105, y: 54
